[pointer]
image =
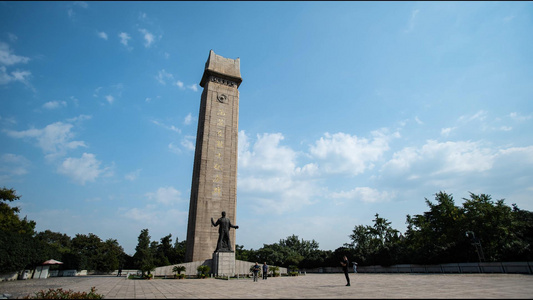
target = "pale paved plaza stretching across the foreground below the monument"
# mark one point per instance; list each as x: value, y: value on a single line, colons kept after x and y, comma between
x: 317, y: 286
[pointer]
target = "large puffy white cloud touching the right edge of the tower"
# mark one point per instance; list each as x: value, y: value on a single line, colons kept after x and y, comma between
x: 269, y: 177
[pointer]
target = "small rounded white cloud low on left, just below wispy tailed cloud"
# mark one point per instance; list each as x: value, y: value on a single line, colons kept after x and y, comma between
x: 83, y: 169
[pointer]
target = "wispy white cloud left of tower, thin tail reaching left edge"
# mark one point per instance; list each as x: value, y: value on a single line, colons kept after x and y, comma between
x: 54, y: 139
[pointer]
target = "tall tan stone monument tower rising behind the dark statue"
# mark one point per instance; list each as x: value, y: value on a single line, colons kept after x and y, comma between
x: 214, y: 179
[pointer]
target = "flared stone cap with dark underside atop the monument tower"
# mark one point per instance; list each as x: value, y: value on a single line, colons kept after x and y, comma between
x: 225, y: 68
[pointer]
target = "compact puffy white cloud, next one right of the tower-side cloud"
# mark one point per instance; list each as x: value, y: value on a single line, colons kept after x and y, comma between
x: 343, y: 153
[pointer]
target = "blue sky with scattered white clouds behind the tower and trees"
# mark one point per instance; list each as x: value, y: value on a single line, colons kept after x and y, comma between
x: 347, y: 109
